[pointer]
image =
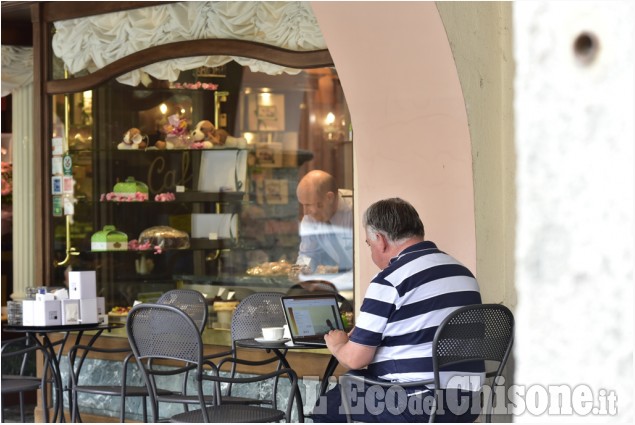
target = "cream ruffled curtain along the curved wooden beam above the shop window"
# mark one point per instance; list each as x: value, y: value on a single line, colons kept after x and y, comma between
x: 93, y: 42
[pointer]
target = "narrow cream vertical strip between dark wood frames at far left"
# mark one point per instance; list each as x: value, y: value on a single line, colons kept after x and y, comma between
x: 23, y: 191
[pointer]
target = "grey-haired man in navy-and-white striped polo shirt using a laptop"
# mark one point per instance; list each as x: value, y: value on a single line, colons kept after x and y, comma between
x: 417, y: 287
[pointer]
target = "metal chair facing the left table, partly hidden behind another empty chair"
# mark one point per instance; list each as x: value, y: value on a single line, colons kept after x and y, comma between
x: 192, y: 303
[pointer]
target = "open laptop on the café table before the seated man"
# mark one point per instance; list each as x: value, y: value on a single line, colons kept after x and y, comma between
x: 310, y: 317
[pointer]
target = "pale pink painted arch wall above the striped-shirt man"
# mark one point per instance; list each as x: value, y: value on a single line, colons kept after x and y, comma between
x: 409, y: 119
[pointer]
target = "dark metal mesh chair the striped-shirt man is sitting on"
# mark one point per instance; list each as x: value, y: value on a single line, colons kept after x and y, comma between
x: 481, y: 332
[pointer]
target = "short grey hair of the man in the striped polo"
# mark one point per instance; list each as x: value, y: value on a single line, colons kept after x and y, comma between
x: 394, y: 218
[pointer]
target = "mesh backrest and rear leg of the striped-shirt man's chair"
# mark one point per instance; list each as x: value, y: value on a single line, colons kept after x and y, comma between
x: 481, y: 332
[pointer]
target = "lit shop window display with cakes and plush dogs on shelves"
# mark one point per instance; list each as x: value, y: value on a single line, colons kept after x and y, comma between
x: 225, y: 208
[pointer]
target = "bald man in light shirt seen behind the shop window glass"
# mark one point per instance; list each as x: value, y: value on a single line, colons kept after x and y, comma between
x: 326, y: 230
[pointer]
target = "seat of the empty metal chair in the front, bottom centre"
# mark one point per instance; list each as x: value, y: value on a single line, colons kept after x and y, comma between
x: 231, y: 413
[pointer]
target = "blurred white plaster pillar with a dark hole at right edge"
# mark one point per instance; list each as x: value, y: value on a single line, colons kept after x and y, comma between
x: 574, y: 112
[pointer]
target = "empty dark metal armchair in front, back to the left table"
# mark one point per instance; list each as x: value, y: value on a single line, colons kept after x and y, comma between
x: 164, y: 333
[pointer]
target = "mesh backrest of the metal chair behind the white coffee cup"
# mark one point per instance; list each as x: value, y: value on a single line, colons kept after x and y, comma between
x: 256, y: 311
